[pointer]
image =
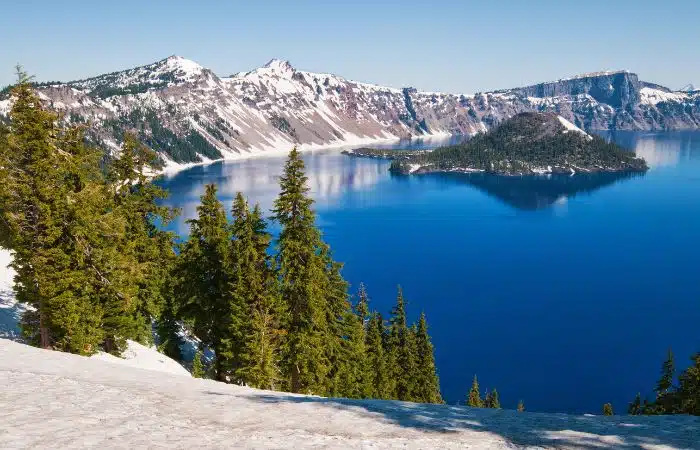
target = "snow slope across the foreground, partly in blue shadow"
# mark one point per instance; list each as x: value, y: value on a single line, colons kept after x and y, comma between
x: 57, y: 400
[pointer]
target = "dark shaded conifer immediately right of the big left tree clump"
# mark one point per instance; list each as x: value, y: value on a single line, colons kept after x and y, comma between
x: 204, y: 277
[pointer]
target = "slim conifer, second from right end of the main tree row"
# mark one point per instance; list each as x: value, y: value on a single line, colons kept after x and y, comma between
x: 401, y: 345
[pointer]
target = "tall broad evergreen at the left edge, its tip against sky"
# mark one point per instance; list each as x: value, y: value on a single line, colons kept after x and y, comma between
x: 49, y: 209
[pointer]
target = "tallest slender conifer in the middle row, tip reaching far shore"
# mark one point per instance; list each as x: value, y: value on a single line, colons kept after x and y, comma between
x: 303, y: 282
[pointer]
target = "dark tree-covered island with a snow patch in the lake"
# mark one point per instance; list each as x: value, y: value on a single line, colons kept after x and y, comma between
x: 526, y: 144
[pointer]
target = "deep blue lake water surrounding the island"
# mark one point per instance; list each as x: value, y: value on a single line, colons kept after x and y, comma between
x: 565, y: 292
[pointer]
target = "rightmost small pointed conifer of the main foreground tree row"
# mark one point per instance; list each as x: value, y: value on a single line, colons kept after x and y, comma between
x: 426, y: 384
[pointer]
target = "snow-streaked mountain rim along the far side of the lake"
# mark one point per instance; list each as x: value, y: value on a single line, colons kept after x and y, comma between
x: 189, y: 114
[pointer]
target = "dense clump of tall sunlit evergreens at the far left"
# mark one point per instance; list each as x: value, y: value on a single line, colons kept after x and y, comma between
x: 87, y: 253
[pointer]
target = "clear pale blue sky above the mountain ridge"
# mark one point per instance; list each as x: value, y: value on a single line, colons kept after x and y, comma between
x: 440, y: 45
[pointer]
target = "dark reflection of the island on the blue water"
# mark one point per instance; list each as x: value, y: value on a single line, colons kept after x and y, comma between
x: 539, y: 192
